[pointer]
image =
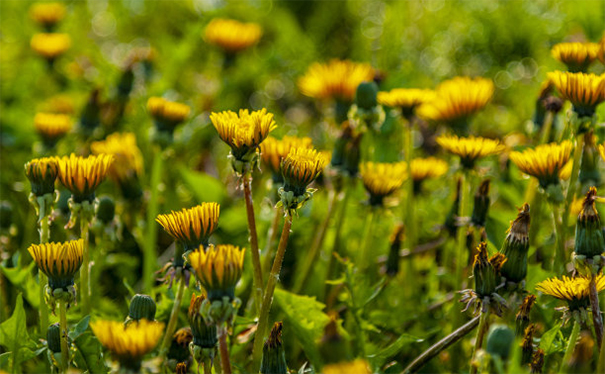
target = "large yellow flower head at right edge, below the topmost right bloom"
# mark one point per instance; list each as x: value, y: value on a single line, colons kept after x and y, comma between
x: 584, y: 91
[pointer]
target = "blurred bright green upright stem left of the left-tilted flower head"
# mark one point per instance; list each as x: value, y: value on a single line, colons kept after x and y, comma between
x: 149, y: 248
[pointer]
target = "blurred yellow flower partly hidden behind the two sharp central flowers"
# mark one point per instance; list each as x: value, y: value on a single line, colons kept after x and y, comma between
x: 273, y: 151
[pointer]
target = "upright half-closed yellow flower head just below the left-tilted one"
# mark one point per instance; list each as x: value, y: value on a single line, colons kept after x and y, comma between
x: 218, y: 269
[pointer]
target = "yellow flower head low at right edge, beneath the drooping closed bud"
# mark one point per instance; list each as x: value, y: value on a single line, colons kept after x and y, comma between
x: 573, y: 290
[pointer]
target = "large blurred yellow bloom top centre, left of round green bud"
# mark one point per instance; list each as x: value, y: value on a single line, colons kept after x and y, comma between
x: 335, y: 80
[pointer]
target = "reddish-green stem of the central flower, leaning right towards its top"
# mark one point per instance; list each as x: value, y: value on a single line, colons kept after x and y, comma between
x: 263, y: 318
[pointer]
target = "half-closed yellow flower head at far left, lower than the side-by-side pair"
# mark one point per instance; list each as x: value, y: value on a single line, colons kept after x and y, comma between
x: 59, y: 261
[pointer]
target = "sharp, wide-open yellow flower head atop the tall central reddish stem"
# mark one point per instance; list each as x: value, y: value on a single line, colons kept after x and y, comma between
x: 243, y: 132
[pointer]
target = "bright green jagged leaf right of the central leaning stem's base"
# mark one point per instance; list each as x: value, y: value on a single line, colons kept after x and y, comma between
x: 304, y: 315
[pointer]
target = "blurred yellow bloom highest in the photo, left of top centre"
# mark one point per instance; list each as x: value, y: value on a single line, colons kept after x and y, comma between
x: 231, y: 35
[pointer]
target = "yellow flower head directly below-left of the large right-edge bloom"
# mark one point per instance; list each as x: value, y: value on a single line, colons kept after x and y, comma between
x: 545, y: 162
